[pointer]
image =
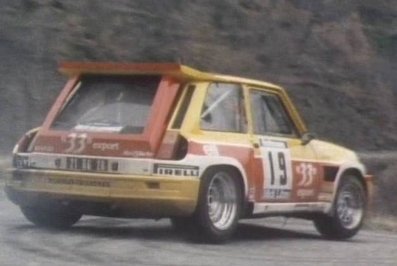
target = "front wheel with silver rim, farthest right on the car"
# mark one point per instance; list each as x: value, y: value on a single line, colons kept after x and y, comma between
x: 348, y: 211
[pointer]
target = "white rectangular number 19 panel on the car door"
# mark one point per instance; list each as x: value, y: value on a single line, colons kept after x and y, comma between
x: 277, y: 169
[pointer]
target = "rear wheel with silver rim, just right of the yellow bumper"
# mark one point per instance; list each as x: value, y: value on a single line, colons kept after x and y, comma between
x: 219, y: 206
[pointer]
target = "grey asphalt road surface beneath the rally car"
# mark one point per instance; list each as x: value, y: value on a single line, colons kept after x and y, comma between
x: 106, y: 241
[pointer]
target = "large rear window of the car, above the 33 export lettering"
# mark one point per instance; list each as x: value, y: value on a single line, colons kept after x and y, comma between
x: 117, y: 104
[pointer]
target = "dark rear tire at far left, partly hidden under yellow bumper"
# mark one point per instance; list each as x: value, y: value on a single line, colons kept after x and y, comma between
x: 59, y: 218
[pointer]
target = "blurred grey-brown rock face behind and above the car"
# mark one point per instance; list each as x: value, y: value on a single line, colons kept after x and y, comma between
x: 338, y: 59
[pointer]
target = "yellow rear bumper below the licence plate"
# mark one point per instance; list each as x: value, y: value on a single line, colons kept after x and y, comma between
x: 121, y: 195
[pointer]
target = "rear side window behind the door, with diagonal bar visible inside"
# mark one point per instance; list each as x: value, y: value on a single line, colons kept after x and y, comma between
x: 223, y: 109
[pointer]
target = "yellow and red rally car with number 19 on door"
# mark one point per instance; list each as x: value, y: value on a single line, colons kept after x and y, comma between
x: 166, y: 140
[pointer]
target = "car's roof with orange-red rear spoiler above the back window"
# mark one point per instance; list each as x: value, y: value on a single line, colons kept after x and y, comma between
x: 179, y: 71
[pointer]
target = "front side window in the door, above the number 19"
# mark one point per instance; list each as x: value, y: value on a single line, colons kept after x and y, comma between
x: 269, y: 114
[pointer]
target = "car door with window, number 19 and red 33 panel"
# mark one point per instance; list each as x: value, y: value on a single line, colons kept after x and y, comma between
x: 285, y: 169
